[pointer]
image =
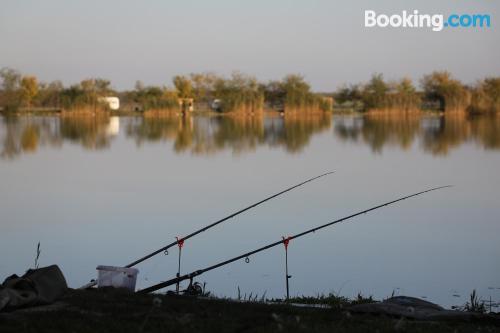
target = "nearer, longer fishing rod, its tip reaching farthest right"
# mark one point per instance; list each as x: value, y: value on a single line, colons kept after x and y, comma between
x: 190, y: 276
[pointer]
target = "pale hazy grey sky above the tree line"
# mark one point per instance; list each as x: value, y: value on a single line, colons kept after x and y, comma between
x: 324, y: 40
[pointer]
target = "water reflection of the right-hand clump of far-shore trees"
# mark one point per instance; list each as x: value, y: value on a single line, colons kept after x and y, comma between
x: 437, y: 134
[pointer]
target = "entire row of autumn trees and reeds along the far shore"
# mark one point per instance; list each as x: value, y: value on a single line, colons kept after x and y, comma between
x: 240, y: 92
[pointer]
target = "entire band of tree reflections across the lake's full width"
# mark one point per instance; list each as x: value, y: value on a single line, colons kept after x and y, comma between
x: 436, y: 134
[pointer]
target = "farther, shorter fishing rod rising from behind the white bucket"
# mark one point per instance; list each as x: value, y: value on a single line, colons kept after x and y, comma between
x: 180, y: 240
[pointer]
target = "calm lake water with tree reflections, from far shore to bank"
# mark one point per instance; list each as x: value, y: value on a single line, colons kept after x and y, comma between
x: 107, y: 190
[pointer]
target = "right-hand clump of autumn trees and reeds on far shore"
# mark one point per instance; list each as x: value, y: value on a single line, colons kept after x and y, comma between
x: 439, y: 91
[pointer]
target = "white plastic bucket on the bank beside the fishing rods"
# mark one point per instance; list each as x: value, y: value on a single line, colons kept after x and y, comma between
x: 118, y: 277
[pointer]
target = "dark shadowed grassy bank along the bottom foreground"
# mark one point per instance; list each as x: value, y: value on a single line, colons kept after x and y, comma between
x: 112, y: 310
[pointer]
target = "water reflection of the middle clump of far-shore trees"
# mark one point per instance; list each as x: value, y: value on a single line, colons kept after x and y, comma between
x: 206, y: 135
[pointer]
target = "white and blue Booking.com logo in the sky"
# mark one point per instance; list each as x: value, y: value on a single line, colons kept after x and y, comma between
x: 436, y: 22
